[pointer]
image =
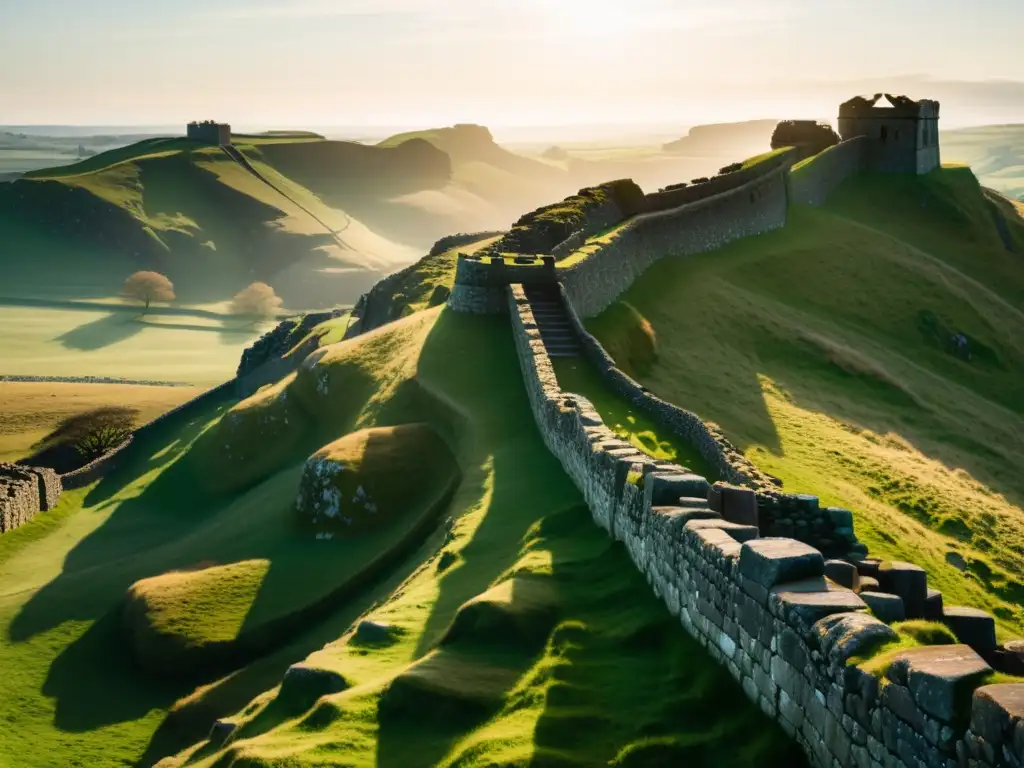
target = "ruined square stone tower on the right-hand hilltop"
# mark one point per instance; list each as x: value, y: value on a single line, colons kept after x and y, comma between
x: 905, y: 134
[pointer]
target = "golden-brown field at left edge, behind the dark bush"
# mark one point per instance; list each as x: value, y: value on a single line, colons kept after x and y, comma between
x: 31, y: 410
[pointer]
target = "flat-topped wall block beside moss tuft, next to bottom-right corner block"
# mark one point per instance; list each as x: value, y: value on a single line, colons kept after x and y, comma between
x: 936, y: 674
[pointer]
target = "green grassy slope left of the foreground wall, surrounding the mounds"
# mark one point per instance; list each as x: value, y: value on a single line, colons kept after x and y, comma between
x: 522, y: 553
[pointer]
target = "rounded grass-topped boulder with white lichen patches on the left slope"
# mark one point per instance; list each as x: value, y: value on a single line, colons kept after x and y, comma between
x: 371, y: 479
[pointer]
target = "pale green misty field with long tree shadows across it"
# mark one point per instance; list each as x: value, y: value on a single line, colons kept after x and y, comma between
x: 66, y: 343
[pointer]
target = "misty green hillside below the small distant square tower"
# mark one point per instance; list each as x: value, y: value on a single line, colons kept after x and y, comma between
x: 212, y: 221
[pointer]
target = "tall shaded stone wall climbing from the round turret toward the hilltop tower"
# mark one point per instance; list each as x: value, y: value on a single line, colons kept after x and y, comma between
x: 756, y: 207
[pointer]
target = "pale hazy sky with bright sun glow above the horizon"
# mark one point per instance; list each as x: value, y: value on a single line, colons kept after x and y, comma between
x: 317, y: 63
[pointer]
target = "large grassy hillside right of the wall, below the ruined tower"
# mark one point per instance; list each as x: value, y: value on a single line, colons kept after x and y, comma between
x: 827, y: 352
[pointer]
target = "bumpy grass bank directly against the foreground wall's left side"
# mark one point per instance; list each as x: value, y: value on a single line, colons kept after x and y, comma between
x: 525, y: 637
